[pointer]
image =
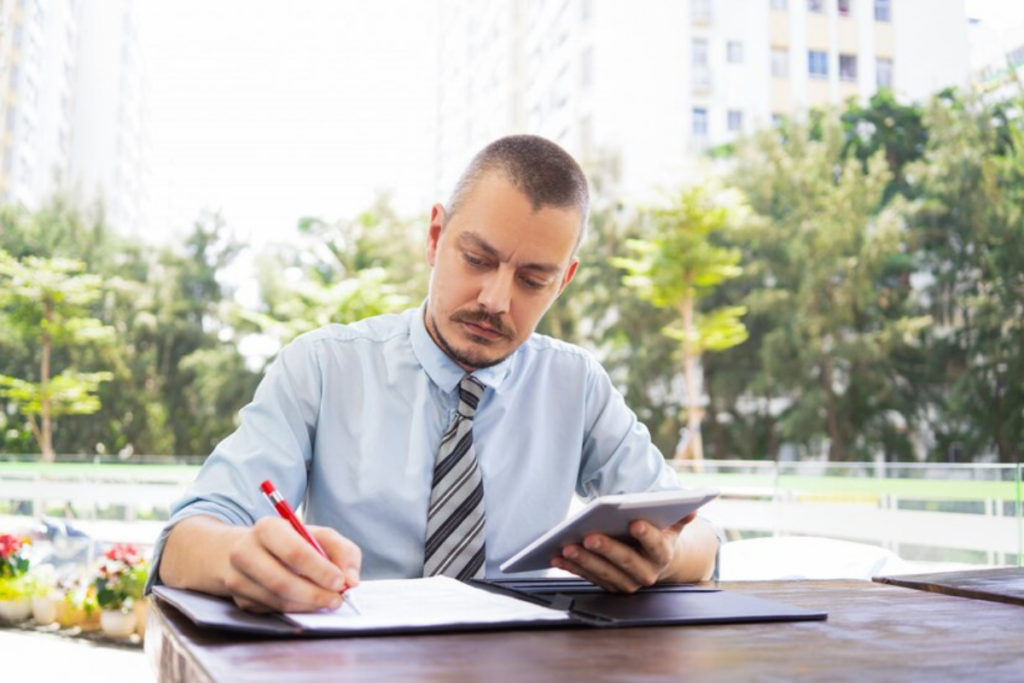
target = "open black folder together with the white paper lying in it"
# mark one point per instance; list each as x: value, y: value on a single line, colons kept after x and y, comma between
x: 442, y: 605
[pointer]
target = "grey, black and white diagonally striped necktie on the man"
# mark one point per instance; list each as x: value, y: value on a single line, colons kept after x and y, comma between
x: 455, y: 522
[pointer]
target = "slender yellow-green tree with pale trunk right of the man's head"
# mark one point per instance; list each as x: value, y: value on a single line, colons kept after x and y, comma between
x: 678, y: 264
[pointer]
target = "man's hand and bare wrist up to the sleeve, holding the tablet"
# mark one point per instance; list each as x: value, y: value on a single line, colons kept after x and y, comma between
x: 682, y: 553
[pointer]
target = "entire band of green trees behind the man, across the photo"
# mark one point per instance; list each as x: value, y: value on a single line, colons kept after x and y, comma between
x: 881, y: 270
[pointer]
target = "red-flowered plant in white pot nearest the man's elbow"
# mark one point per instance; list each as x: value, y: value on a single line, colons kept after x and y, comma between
x: 119, y: 584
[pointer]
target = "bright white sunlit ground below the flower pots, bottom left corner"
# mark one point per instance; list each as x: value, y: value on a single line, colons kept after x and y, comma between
x: 37, y: 657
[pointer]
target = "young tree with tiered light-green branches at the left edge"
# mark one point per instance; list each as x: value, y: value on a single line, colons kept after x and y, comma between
x: 48, y: 301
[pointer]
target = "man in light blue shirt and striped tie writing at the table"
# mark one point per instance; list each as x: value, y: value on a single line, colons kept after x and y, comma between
x: 444, y: 440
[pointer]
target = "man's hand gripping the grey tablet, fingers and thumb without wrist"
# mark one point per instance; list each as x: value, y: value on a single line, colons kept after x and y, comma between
x: 622, y: 568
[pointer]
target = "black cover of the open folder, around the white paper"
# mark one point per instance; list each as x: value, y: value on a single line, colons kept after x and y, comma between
x: 578, y: 604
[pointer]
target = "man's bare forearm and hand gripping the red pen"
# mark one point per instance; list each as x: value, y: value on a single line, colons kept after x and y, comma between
x: 265, y: 567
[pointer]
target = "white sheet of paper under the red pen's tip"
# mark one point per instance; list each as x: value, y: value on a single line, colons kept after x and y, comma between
x: 423, y: 603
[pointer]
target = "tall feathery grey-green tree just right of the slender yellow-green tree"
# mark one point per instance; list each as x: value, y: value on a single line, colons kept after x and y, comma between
x: 828, y: 287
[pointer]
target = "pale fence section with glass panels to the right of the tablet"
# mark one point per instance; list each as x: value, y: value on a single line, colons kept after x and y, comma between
x: 929, y: 513
